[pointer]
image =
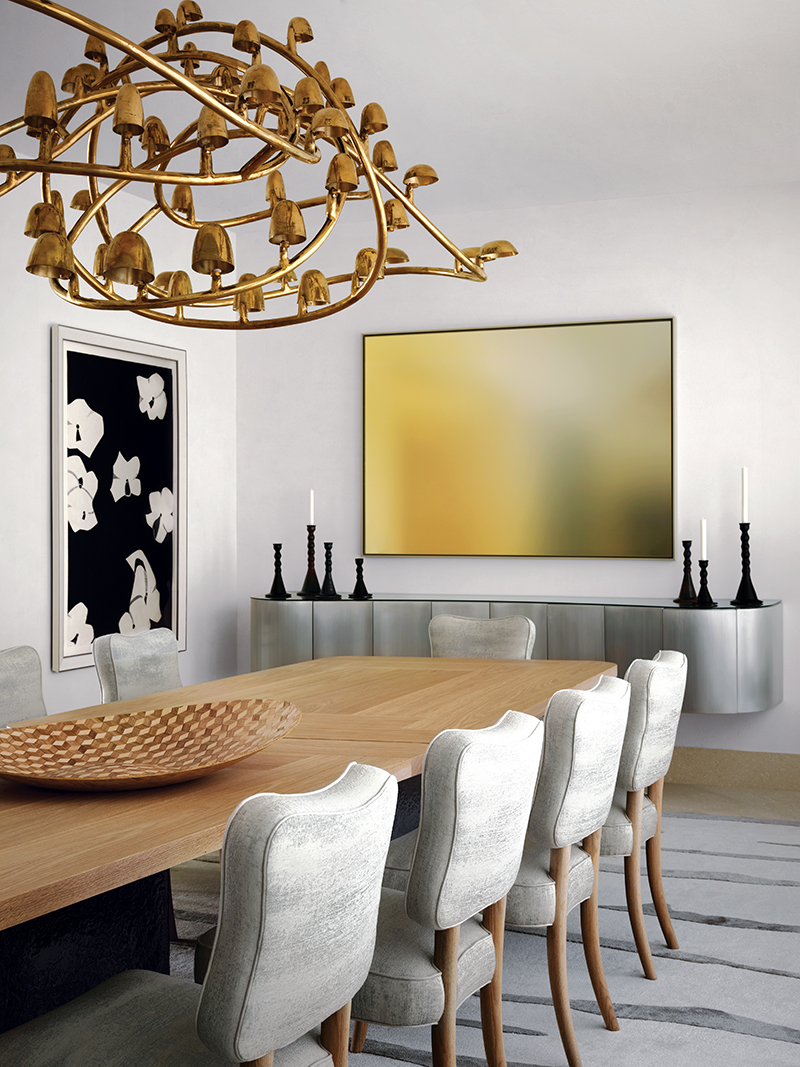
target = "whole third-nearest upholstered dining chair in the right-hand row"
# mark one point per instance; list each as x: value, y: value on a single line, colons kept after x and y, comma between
x: 584, y: 732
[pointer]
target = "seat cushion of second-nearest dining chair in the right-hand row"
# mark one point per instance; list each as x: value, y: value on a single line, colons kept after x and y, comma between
x: 404, y: 988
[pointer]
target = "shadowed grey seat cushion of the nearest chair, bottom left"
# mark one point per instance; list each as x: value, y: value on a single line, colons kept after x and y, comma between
x: 136, y: 1020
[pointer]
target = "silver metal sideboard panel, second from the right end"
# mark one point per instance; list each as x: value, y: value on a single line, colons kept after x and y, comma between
x: 708, y: 639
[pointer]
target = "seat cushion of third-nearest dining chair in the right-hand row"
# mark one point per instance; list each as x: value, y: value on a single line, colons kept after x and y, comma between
x: 532, y: 901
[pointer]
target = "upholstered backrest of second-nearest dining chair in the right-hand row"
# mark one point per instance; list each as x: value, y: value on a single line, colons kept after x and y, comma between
x: 477, y: 791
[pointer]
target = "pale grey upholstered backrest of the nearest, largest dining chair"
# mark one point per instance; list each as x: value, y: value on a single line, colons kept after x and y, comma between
x: 301, y: 885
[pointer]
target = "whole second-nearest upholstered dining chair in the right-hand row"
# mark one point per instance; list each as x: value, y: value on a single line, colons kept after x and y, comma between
x: 431, y: 951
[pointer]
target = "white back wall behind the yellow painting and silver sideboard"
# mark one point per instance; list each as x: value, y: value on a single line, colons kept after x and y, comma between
x: 726, y: 265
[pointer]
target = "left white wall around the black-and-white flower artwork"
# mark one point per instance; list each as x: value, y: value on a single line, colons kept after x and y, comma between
x: 29, y: 310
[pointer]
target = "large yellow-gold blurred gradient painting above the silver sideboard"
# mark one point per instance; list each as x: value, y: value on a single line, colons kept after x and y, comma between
x: 530, y: 441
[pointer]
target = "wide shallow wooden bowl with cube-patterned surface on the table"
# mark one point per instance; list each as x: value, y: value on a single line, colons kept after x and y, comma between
x: 142, y: 750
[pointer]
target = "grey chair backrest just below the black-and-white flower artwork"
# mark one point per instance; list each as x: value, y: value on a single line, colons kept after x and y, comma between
x: 134, y: 665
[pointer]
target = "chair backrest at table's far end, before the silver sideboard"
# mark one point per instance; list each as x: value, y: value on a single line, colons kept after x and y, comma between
x: 510, y: 638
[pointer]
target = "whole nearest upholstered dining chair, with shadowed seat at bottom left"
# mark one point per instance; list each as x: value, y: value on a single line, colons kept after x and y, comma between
x: 301, y: 885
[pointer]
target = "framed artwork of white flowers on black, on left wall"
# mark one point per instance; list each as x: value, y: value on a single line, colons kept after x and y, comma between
x: 120, y: 487
